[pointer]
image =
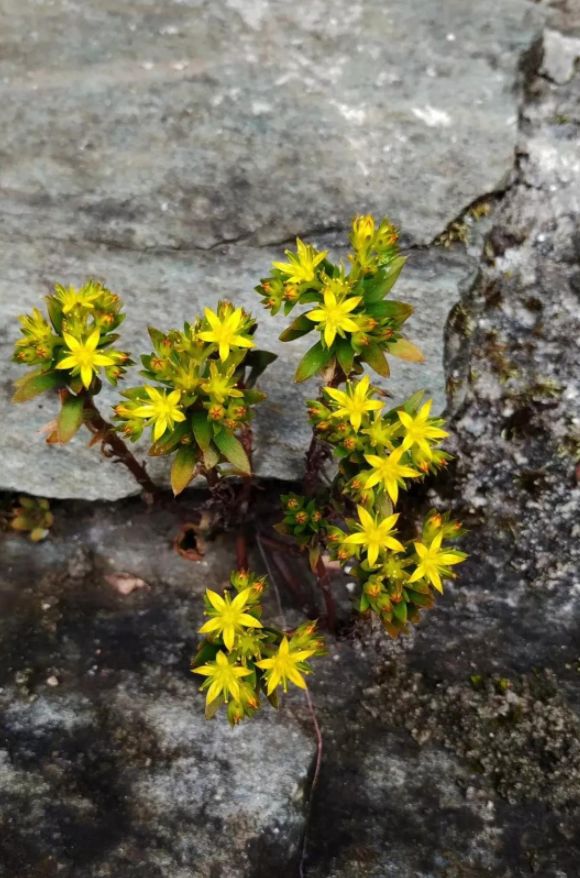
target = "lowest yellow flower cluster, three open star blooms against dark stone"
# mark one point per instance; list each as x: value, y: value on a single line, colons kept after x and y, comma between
x: 241, y: 658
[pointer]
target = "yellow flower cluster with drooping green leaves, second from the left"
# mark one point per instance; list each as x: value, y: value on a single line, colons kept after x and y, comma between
x: 199, y: 393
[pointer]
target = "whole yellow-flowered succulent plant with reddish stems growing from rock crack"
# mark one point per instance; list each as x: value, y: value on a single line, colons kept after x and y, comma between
x: 196, y: 404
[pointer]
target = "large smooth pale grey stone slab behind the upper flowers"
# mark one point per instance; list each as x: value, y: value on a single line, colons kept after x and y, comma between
x: 140, y: 140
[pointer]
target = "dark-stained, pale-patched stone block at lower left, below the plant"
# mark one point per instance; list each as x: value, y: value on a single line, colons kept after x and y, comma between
x: 107, y: 766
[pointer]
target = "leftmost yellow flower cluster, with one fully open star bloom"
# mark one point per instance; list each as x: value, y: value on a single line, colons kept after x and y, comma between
x: 71, y: 345
